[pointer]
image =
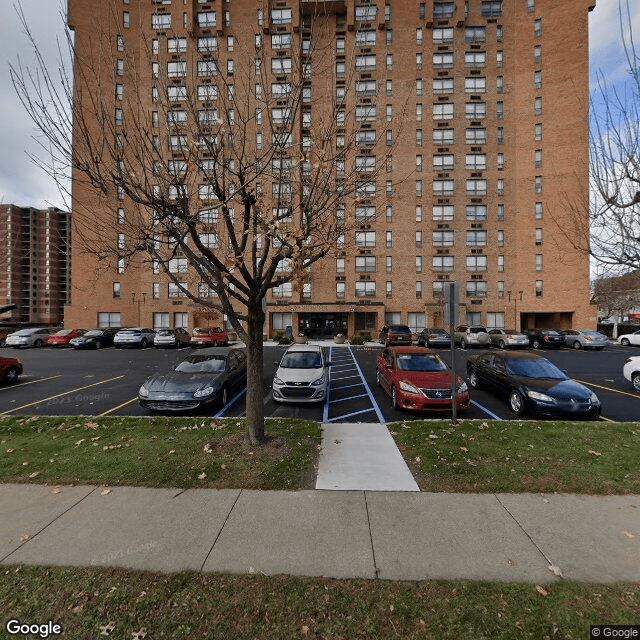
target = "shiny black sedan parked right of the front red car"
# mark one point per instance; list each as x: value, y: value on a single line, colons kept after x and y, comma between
x: 532, y: 383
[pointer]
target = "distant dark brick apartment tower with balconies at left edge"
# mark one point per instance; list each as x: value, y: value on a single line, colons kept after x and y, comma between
x: 34, y: 264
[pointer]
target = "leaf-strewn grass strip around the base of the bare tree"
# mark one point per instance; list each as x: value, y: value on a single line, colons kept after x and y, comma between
x: 157, y: 452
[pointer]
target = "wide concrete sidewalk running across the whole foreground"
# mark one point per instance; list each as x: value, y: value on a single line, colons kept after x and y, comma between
x: 341, y: 534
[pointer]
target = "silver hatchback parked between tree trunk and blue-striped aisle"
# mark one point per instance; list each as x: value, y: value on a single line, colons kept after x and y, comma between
x: 302, y: 375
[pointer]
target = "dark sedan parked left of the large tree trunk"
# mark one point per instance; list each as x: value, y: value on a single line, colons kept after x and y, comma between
x: 202, y: 379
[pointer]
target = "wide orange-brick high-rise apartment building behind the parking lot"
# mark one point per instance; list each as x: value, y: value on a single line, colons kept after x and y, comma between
x: 478, y: 110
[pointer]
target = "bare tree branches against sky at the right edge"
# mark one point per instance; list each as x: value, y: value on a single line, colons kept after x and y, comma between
x: 615, y: 163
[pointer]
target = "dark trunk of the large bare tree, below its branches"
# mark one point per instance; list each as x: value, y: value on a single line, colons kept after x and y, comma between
x: 255, y: 376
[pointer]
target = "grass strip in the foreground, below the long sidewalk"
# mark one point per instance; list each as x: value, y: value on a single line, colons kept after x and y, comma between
x: 87, y: 602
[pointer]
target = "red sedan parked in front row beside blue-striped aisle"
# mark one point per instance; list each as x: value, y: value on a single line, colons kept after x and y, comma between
x: 417, y: 379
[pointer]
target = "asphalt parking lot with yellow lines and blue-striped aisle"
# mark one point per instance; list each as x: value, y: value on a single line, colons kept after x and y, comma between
x: 106, y: 382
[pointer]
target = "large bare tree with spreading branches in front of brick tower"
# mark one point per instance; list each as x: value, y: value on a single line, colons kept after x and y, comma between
x: 238, y: 176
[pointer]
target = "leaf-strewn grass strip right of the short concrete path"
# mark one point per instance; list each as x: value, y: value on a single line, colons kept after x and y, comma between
x: 522, y: 456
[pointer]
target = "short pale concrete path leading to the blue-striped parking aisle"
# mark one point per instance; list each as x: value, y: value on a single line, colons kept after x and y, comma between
x: 362, y: 456
